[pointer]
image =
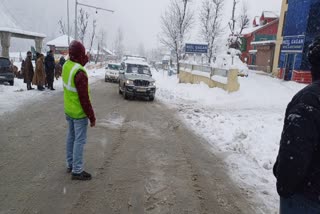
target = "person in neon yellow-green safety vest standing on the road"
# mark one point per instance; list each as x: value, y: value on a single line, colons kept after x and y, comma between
x: 78, y: 109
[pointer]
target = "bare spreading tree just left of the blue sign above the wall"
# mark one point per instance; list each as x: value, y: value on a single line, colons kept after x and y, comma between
x: 176, y: 24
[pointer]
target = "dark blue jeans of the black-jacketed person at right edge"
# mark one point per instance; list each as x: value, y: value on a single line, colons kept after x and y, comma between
x: 298, y: 204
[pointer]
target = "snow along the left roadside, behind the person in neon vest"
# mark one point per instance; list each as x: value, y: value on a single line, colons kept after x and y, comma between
x: 13, y: 97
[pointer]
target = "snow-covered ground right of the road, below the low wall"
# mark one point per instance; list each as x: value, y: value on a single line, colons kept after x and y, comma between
x: 244, y: 127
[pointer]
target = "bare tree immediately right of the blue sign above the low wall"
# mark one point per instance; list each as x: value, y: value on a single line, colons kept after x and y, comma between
x: 210, y: 19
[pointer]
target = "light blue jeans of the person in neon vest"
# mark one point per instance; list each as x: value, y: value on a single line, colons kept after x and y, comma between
x: 76, y: 138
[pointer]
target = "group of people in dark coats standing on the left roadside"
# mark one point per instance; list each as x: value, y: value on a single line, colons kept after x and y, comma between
x: 43, y: 74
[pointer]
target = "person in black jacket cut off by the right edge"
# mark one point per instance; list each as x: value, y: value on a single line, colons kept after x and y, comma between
x: 297, y: 168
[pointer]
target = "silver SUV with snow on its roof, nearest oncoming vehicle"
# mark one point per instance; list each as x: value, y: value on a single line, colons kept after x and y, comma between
x: 136, y: 80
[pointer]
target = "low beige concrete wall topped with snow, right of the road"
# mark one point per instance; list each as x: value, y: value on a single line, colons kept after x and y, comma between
x: 213, y: 77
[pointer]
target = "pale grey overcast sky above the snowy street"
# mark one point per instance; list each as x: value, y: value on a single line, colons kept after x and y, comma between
x: 139, y: 19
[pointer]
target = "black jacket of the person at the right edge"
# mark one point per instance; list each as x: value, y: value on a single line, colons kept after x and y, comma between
x: 297, y: 168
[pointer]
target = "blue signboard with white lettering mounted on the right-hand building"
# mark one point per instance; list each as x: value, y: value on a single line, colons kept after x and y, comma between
x: 293, y: 44
